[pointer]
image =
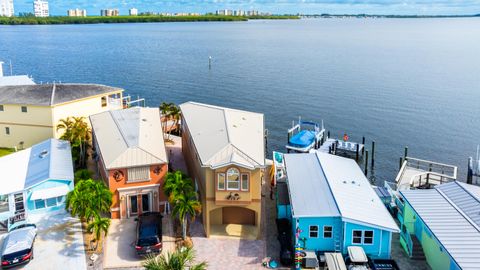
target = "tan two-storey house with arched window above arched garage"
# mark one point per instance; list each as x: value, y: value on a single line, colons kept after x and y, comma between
x: 224, y: 152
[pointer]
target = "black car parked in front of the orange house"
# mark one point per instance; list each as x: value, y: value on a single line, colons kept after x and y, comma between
x: 149, y: 234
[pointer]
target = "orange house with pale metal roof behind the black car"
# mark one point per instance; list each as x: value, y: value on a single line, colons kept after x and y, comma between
x: 132, y: 160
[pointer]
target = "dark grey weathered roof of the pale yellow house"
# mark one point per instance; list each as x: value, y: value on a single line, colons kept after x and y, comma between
x: 51, y: 94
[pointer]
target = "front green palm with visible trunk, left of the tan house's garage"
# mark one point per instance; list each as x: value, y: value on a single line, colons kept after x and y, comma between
x: 186, y: 205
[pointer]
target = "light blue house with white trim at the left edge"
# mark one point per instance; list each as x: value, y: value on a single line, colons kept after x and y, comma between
x: 34, y: 182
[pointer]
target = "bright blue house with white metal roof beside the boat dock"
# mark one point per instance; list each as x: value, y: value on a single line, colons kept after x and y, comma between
x: 333, y: 206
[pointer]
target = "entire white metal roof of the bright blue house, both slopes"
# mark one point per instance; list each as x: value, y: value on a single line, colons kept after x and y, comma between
x: 327, y: 185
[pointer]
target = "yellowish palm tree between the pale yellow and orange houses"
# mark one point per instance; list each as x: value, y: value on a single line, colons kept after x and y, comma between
x: 77, y: 132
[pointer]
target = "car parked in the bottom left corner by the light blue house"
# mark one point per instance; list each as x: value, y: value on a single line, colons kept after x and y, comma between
x: 17, y: 247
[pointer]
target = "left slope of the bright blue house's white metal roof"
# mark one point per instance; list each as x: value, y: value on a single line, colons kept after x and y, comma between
x: 310, y: 194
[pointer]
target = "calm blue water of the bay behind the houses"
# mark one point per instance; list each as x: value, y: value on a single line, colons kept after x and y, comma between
x: 399, y: 82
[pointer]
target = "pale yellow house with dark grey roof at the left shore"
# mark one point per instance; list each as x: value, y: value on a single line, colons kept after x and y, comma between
x: 29, y: 114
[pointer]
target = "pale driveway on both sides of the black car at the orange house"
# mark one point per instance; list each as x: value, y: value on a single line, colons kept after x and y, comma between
x: 120, y: 243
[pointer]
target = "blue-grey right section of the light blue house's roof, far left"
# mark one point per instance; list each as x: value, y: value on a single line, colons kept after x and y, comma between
x: 50, y: 159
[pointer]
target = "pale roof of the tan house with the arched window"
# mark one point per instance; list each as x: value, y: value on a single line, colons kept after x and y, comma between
x: 224, y: 136
